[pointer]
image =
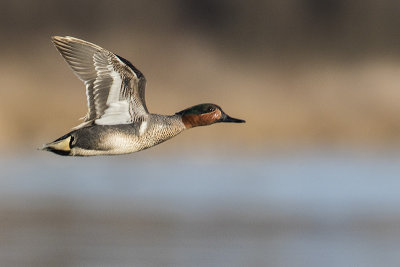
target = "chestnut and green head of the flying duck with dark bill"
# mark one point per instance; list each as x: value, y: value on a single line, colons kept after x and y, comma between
x: 205, y: 114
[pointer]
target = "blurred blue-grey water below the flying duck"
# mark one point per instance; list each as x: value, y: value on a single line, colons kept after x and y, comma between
x: 314, y: 208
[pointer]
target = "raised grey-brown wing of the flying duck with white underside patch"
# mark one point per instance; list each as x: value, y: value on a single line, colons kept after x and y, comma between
x: 115, y: 89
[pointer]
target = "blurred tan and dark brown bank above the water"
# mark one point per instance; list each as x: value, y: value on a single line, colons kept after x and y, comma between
x: 300, y: 72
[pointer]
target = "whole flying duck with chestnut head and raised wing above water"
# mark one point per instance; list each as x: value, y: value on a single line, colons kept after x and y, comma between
x: 118, y: 121
